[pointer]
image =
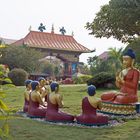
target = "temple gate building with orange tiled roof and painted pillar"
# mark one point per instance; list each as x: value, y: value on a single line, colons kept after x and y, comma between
x: 63, y: 47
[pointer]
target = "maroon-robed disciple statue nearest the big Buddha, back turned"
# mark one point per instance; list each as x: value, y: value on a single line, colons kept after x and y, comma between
x: 90, y: 104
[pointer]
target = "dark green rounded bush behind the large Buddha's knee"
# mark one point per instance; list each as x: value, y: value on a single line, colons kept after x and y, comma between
x: 102, y: 80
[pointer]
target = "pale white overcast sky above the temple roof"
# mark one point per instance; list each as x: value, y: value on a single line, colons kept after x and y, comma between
x: 18, y: 15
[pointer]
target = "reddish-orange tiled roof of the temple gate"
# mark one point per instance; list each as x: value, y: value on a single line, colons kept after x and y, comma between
x: 51, y: 41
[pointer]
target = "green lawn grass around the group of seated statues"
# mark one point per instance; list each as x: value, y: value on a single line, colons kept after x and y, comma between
x: 22, y: 128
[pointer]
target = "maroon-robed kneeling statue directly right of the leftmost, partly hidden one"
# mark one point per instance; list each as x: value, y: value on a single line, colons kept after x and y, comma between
x: 36, y: 104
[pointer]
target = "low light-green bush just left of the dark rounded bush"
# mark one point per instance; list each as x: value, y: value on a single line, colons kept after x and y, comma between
x: 81, y: 79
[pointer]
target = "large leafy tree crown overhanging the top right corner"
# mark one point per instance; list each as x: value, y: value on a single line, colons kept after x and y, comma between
x: 119, y: 19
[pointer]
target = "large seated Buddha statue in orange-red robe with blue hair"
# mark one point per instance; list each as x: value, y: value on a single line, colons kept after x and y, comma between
x: 127, y: 80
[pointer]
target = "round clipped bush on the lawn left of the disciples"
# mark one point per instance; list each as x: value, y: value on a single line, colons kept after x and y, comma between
x: 18, y: 76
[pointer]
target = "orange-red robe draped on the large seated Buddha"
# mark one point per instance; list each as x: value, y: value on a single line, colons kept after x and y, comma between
x: 129, y: 88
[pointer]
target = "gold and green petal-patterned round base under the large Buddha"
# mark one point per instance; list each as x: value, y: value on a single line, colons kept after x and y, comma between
x: 120, y: 109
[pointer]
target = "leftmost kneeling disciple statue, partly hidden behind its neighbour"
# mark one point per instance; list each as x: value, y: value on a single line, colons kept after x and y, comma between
x: 26, y: 95
